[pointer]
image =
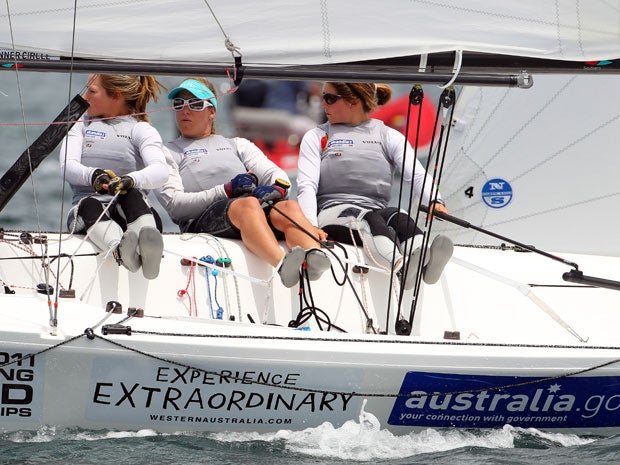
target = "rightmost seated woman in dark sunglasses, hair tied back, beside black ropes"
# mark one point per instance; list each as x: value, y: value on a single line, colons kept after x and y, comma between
x: 346, y: 169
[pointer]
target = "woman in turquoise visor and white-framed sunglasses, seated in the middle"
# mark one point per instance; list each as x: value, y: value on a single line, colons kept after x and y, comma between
x: 227, y: 187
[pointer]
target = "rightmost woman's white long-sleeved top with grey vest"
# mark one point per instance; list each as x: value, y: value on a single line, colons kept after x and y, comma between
x: 354, y: 164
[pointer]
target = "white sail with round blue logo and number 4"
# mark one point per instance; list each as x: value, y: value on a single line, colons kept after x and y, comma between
x: 552, y: 152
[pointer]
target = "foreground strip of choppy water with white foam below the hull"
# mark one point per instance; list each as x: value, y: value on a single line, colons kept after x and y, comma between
x: 353, y: 443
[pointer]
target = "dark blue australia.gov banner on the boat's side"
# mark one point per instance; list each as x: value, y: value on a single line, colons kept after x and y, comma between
x: 474, y: 401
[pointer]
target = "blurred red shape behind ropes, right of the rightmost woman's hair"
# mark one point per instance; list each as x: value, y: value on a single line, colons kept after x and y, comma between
x: 394, y: 114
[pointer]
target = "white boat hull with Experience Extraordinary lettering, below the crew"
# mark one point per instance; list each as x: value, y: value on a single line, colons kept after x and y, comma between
x: 171, y: 371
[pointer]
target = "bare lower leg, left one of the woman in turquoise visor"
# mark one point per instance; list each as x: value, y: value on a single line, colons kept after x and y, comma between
x: 248, y: 216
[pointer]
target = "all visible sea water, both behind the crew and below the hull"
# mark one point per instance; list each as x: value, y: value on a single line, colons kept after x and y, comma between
x: 42, y: 204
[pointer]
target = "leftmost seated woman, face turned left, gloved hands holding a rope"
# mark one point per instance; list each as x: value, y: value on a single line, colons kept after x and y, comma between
x: 111, y: 159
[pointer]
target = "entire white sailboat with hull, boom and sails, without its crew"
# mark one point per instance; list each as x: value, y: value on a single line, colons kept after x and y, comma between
x: 521, y: 329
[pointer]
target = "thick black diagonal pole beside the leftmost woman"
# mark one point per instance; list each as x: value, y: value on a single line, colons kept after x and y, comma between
x: 32, y: 157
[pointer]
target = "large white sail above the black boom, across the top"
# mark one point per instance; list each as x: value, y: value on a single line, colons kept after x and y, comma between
x: 309, y: 32
